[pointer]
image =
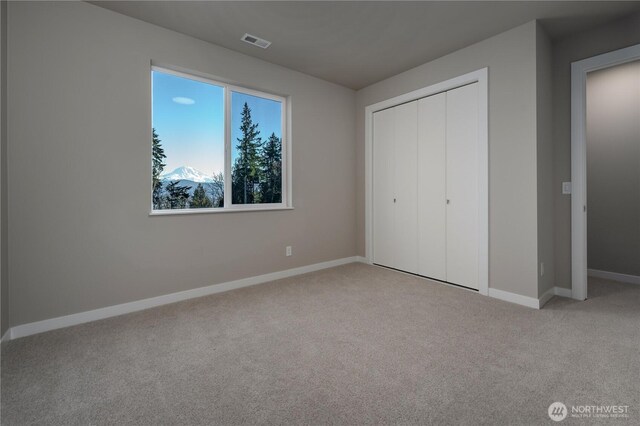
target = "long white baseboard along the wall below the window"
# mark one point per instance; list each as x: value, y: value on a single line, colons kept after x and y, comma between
x: 139, y: 305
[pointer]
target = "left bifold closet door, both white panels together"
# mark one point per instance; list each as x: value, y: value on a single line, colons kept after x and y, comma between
x: 395, y: 168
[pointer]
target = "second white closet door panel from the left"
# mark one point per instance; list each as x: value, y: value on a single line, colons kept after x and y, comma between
x: 406, y: 187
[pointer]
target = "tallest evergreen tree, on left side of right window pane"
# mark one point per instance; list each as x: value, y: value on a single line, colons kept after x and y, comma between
x: 245, y: 177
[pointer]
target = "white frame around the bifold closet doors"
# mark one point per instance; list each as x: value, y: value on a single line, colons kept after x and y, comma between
x: 481, y: 77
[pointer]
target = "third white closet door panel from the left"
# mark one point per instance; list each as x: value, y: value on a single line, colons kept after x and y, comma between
x: 432, y: 235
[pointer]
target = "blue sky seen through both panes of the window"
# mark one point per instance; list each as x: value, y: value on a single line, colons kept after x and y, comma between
x: 188, y: 116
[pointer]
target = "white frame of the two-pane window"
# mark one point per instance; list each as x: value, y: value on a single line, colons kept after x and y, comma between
x: 286, y: 203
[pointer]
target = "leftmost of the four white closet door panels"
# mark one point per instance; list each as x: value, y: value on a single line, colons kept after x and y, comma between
x: 383, y: 191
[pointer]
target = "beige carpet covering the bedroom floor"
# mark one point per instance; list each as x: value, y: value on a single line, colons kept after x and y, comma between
x: 351, y: 345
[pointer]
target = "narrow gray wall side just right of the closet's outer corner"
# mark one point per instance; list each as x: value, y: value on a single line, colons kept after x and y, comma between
x: 544, y: 114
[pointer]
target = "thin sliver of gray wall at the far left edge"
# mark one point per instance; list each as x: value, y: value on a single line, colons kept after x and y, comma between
x: 4, y: 283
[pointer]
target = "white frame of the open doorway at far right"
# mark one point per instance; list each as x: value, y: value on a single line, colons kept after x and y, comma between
x: 579, y: 72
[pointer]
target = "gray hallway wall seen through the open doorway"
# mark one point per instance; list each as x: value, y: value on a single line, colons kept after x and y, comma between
x: 613, y: 169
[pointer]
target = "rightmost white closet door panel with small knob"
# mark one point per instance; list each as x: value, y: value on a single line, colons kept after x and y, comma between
x: 462, y: 186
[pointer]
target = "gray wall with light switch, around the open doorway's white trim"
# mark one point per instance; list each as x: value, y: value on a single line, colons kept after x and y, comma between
x: 616, y: 35
